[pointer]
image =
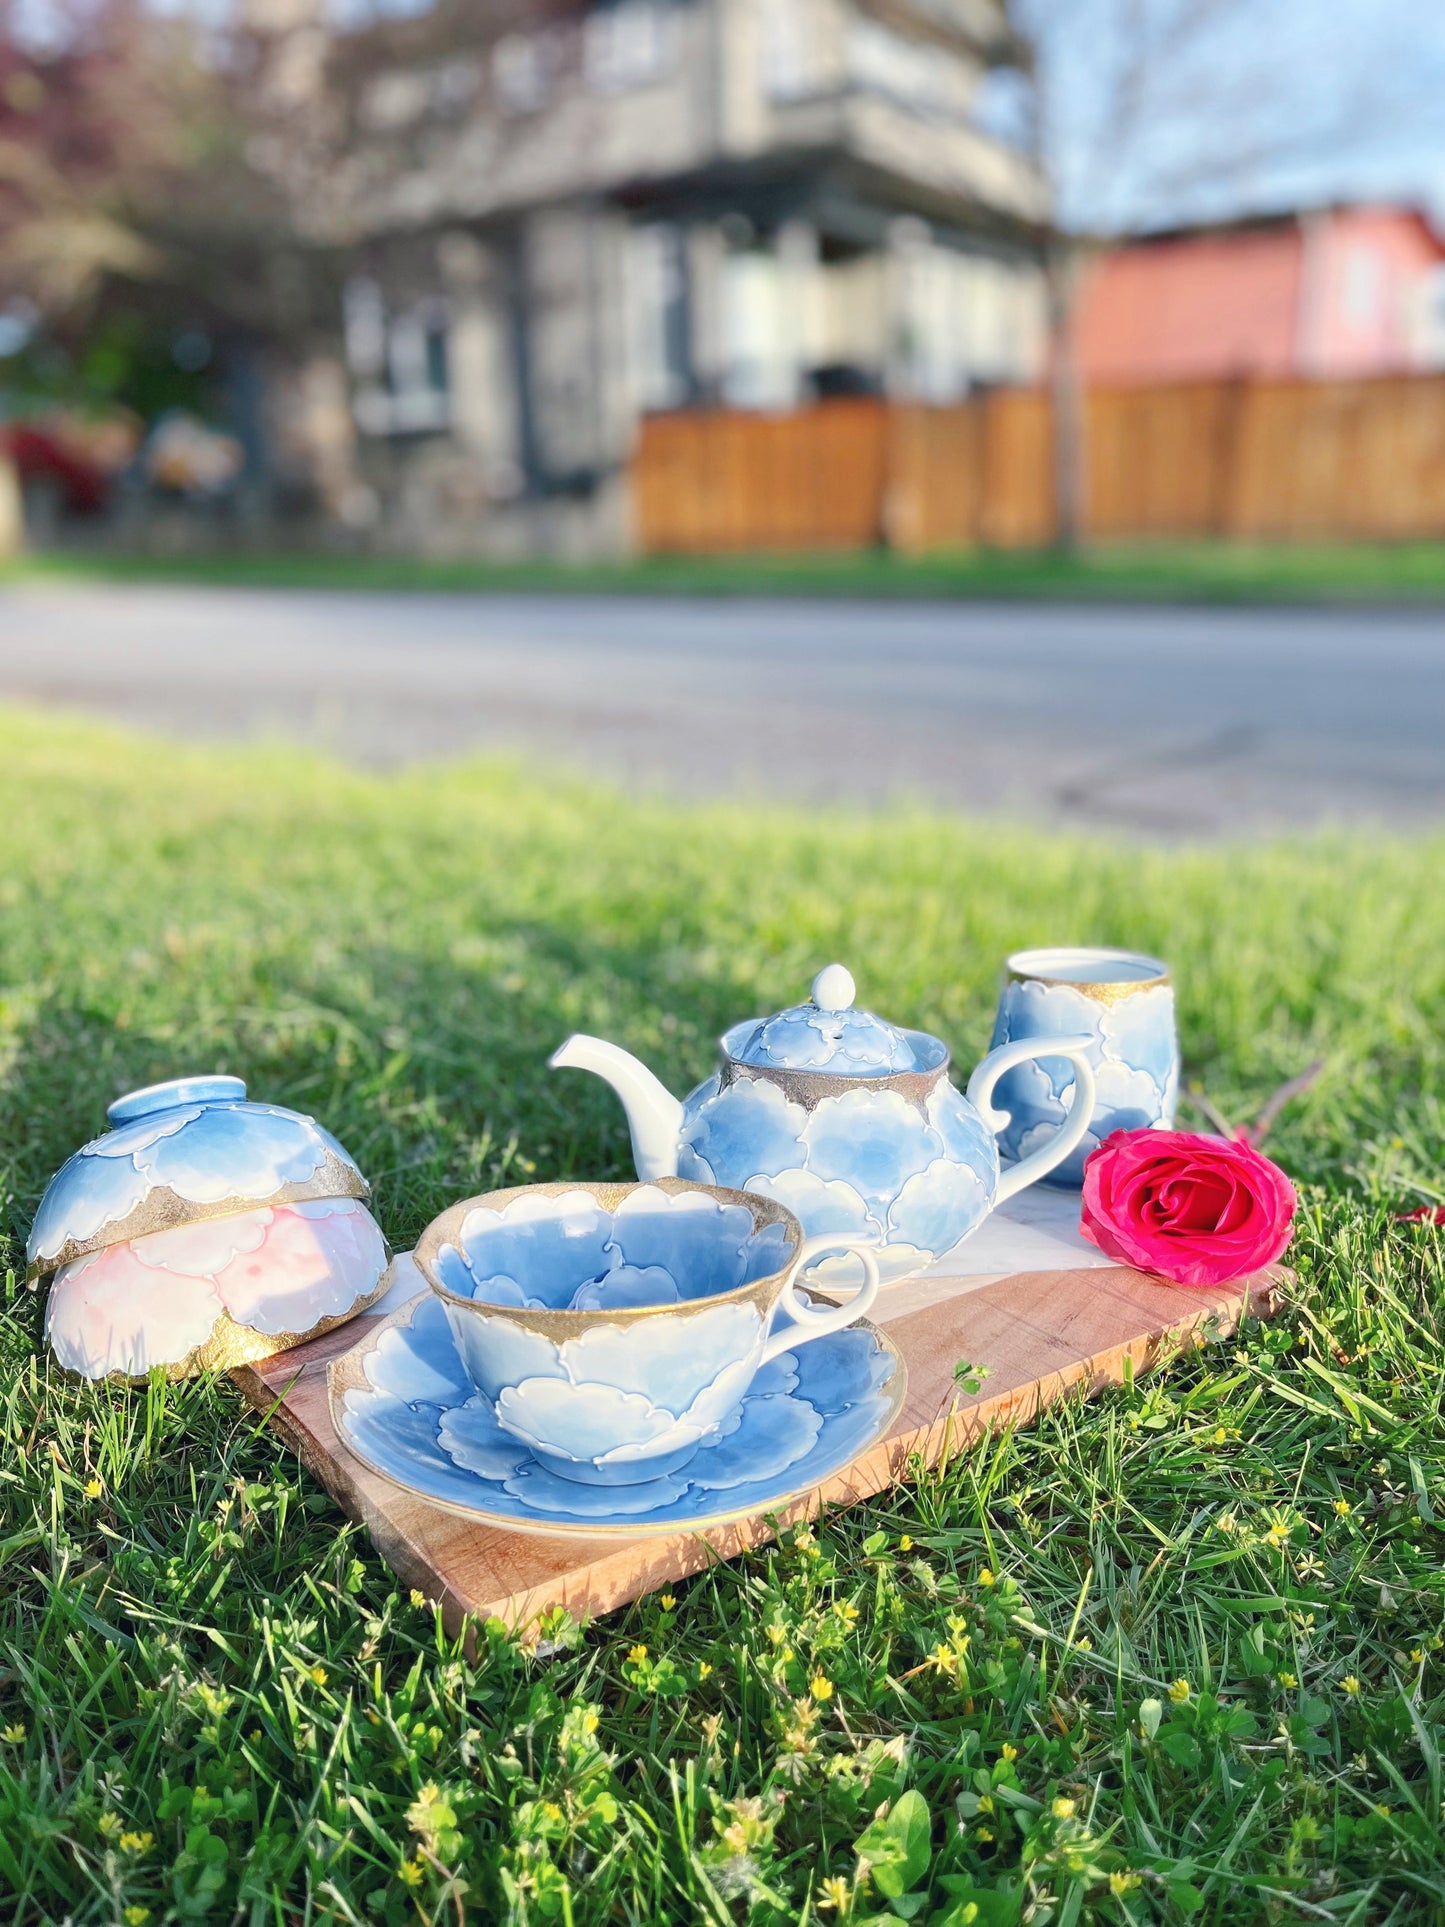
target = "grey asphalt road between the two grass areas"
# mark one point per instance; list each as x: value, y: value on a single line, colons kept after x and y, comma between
x: 1165, y: 722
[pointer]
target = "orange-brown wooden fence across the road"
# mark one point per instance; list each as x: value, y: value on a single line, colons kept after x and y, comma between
x: 1240, y: 460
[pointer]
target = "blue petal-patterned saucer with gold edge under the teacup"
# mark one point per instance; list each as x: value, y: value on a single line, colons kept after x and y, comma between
x: 404, y: 1406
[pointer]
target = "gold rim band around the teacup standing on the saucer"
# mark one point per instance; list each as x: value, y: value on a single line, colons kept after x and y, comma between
x: 564, y: 1327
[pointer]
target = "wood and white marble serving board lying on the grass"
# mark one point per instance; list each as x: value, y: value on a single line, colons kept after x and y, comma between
x: 1061, y: 1317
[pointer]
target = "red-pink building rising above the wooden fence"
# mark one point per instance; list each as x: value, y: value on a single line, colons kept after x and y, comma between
x: 1325, y: 296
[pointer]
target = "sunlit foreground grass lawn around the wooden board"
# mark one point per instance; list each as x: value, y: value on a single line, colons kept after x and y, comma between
x: 1176, y: 1654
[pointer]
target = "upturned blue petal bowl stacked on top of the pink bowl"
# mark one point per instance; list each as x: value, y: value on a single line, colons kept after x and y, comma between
x: 180, y: 1153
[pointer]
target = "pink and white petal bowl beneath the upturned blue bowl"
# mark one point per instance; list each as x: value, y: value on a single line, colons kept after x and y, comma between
x: 276, y: 1271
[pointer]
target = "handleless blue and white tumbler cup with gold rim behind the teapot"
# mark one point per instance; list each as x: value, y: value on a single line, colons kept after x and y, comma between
x: 1122, y: 1001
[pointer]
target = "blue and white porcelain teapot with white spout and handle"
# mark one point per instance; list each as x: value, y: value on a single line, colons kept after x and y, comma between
x: 847, y: 1121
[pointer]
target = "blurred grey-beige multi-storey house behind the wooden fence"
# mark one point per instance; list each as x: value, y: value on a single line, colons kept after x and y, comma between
x: 571, y: 215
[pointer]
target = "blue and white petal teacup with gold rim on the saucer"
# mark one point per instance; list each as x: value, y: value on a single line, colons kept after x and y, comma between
x: 616, y: 1329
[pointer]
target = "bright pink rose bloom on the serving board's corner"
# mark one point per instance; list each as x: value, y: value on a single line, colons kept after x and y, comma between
x: 1199, y: 1211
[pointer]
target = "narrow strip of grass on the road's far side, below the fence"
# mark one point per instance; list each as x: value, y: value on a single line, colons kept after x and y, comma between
x: 1161, y: 571
